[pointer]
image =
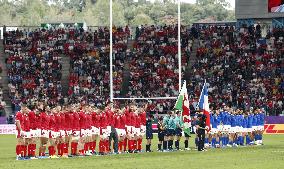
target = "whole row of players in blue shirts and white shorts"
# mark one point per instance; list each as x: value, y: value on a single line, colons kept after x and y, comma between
x: 235, y: 128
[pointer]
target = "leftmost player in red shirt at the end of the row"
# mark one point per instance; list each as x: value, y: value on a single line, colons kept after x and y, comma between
x: 21, y: 148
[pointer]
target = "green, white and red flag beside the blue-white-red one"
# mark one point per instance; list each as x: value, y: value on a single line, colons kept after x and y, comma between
x: 182, y: 104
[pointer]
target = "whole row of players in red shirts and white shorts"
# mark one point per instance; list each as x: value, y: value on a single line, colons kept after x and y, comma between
x: 78, y: 127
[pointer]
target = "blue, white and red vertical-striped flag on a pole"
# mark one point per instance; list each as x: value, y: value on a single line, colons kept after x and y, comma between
x: 204, y: 104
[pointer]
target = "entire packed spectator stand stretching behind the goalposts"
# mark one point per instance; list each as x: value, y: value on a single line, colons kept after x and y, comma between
x: 243, y: 69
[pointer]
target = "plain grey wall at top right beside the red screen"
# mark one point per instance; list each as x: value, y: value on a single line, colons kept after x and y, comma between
x: 246, y: 9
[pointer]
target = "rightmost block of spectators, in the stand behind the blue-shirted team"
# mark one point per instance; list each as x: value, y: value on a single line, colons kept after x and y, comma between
x: 242, y: 69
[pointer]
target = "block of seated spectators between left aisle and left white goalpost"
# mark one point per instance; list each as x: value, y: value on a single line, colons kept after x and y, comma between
x: 89, y: 74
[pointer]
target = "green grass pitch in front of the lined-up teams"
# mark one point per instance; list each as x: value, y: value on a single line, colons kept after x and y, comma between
x: 270, y: 156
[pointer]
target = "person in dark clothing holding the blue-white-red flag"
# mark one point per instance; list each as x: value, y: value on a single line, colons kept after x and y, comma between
x: 200, y: 129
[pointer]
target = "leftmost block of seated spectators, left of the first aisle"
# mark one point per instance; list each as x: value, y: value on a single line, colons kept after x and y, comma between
x: 34, y: 67
